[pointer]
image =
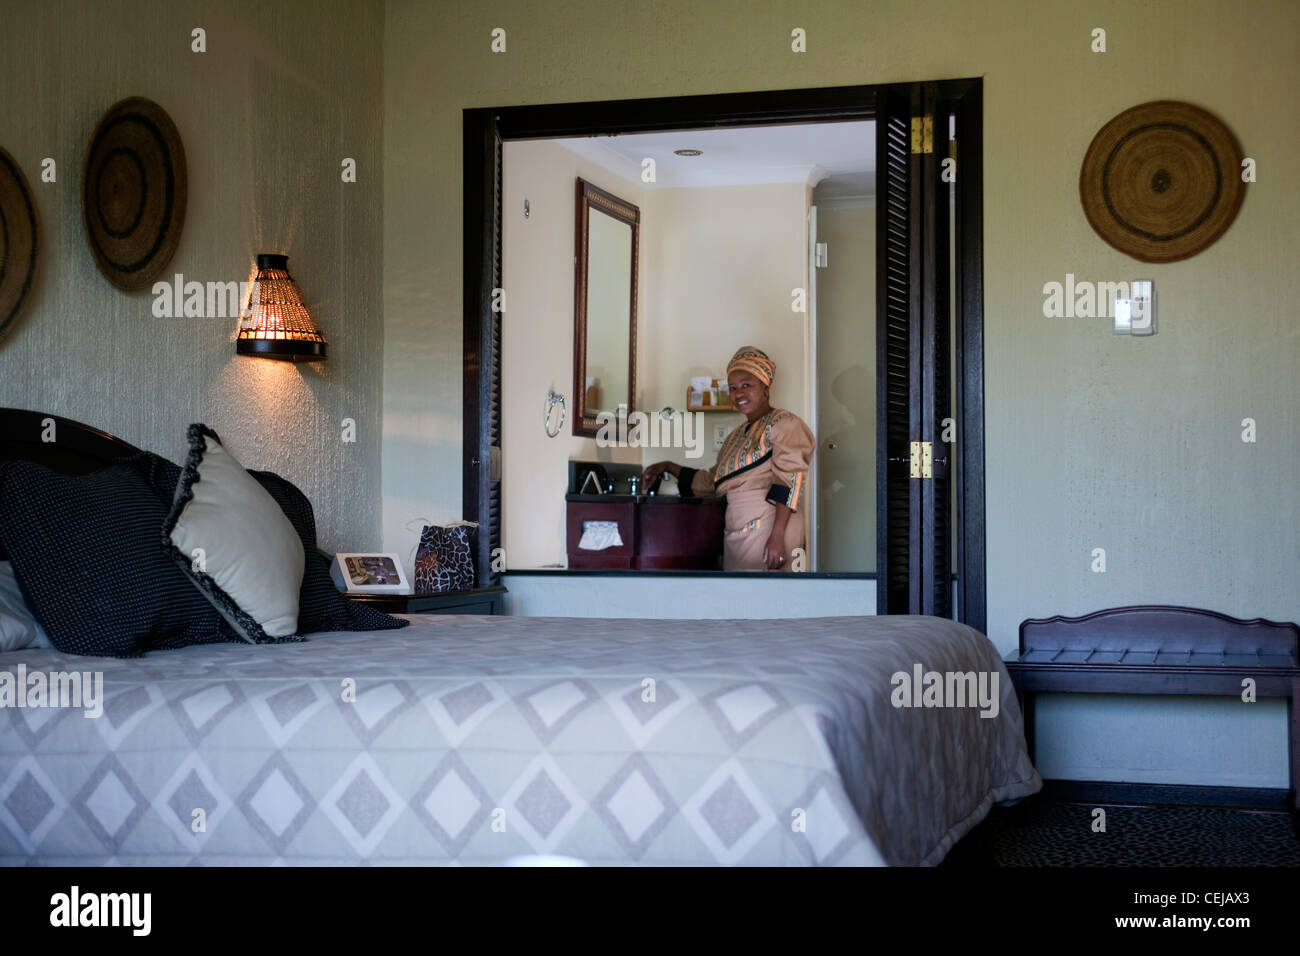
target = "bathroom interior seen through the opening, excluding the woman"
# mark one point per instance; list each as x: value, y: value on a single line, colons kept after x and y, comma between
x: 635, y: 267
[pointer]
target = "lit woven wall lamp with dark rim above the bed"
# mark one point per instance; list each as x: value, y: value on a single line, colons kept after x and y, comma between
x: 276, y: 325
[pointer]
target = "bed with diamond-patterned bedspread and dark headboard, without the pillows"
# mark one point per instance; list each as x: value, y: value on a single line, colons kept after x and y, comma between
x: 480, y: 741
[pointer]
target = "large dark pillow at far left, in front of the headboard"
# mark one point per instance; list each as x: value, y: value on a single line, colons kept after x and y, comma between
x: 86, y: 556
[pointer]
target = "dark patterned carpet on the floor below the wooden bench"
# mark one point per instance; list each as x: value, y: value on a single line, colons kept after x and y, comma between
x: 1043, y: 833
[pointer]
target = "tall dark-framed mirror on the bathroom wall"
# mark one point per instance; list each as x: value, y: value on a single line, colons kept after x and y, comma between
x: 605, y: 306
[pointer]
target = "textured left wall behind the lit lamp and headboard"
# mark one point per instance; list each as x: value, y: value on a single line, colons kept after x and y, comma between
x: 285, y: 92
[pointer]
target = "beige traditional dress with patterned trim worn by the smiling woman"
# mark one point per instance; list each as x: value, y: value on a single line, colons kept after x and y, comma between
x: 762, y: 464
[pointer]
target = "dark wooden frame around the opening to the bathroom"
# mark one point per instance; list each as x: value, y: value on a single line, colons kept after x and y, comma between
x: 843, y: 103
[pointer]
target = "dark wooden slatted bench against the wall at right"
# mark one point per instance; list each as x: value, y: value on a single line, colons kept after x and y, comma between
x: 1162, y: 650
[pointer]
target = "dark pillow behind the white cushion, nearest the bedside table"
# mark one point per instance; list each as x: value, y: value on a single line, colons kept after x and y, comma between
x: 320, y: 605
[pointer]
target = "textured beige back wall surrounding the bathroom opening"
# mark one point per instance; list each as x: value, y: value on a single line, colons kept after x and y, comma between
x: 1094, y: 440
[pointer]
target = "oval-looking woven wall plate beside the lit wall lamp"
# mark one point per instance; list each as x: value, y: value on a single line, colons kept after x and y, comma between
x: 133, y: 193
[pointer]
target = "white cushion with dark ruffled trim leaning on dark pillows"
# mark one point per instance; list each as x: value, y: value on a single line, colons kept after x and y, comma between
x: 236, y: 544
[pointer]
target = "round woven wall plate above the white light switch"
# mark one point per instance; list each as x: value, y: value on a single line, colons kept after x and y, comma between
x: 1163, y: 181
